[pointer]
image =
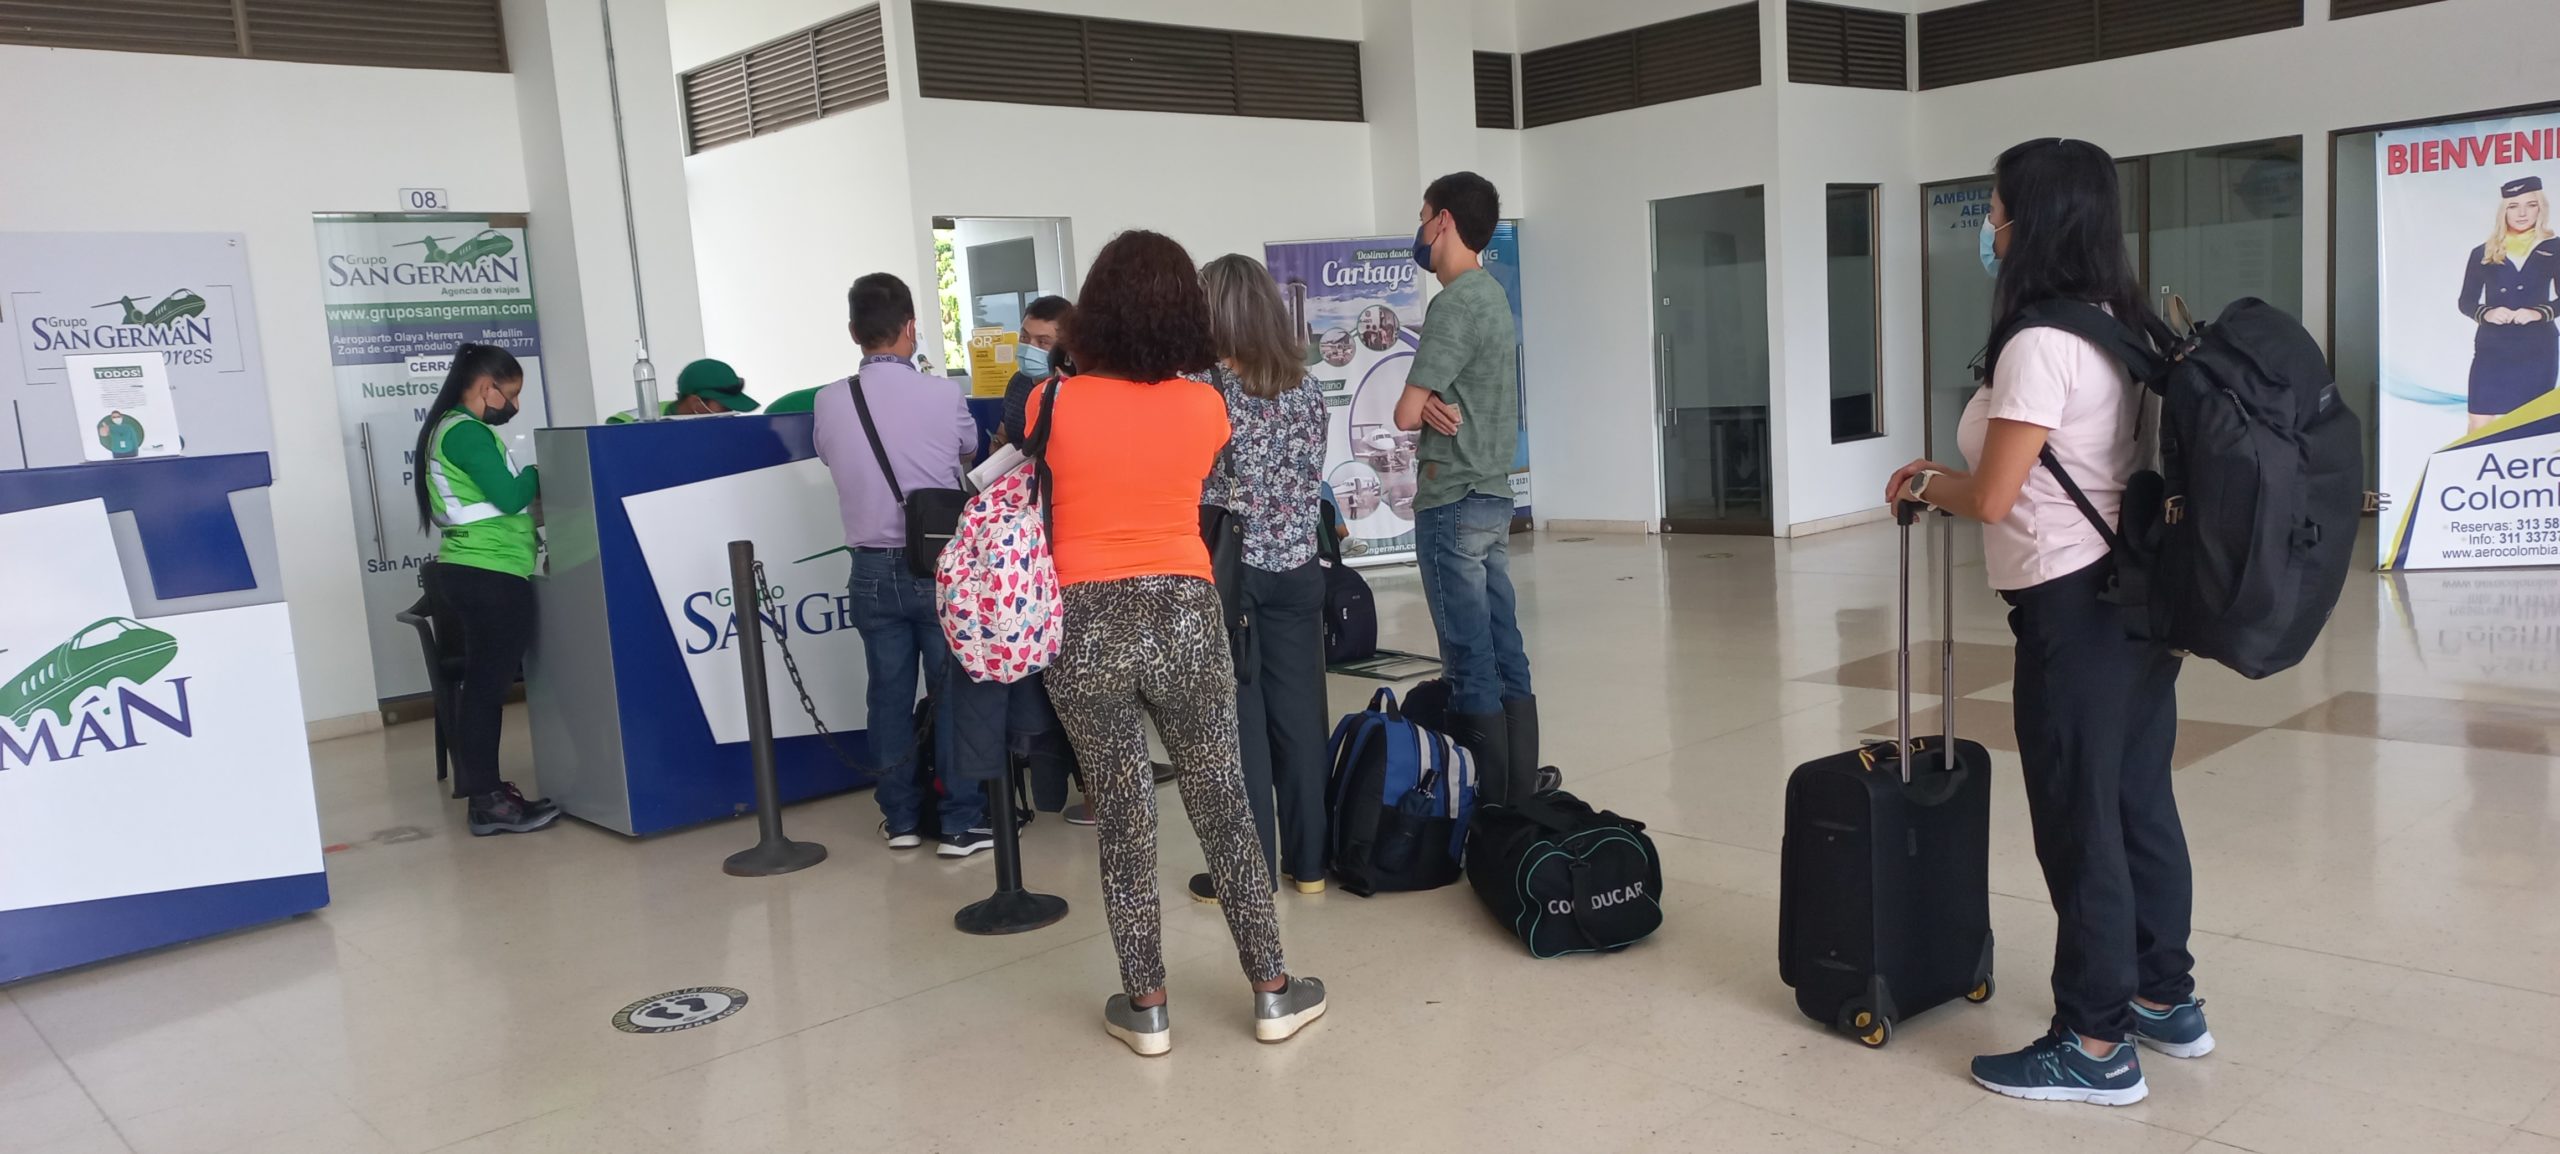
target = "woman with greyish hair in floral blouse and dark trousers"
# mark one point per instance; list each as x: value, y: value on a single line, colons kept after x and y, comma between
x: 1276, y: 482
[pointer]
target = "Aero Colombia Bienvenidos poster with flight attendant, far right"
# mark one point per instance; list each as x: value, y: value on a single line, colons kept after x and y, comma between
x: 2469, y: 344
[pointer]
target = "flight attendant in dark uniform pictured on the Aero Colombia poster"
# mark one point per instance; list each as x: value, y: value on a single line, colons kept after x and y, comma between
x: 2510, y: 290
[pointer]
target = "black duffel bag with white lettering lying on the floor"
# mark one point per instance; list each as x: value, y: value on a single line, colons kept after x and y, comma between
x: 1563, y: 876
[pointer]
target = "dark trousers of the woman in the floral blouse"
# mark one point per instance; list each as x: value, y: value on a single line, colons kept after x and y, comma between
x: 1281, y: 718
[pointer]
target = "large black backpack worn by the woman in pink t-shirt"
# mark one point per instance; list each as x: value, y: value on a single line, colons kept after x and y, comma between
x: 2241, y: 544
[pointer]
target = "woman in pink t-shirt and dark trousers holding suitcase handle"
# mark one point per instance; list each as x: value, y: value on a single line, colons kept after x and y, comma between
x: 2095, y: 710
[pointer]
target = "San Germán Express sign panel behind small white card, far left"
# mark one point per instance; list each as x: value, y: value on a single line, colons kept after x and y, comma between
x: 173, y: 298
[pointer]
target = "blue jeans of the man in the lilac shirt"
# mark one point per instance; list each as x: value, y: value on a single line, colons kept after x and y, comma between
x: 895, y: 610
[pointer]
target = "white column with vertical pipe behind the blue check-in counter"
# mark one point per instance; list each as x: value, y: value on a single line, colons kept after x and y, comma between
x: 582, y: 242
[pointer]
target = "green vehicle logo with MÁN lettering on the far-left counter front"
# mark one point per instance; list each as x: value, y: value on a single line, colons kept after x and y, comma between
x: 99, y: 692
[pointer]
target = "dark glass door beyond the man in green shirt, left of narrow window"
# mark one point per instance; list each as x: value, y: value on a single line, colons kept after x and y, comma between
x: 1711, y: 362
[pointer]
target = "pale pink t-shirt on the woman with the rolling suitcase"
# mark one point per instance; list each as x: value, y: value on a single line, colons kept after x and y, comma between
x: 2085, y: 398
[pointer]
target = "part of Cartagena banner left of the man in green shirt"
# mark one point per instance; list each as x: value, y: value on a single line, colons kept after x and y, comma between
x: 1361, y: 311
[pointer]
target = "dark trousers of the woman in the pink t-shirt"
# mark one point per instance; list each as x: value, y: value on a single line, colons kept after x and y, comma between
x: 2098, y: 718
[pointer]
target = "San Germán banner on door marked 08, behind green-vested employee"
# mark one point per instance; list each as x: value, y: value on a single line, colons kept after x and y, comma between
x: 403, y: 293
